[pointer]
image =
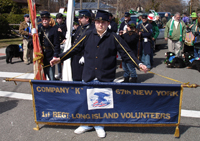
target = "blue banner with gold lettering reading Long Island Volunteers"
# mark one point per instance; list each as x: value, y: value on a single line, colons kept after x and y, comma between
x: 106, y: 103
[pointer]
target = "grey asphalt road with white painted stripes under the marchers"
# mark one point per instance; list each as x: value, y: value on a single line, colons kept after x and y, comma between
x: 17, y: 118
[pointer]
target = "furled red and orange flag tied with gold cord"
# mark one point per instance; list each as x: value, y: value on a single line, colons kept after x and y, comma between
x: 37, y: 51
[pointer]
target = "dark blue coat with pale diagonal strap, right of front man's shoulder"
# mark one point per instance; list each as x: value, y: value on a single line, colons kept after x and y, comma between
x: 146, y: 46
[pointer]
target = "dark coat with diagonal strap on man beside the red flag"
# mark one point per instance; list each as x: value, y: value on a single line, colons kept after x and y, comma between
x: 48, y: 51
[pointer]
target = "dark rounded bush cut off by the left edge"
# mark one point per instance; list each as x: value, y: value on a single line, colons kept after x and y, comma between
x: 5, y: 29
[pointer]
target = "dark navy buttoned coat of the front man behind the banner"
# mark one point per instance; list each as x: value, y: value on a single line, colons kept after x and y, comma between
x: 100, y: 55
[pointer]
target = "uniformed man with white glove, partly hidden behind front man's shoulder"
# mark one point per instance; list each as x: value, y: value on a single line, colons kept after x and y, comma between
x: 77, y: 61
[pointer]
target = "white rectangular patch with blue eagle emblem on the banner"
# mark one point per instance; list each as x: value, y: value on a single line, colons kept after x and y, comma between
x: 100, y: 98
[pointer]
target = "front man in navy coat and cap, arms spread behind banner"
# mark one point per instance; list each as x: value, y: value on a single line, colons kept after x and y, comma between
x: 100, y: 49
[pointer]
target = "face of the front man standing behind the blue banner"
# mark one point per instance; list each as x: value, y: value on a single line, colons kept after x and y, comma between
x: 101, y: 26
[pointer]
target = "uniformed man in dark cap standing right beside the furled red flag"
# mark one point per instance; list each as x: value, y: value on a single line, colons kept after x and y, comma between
x: 49, y: 40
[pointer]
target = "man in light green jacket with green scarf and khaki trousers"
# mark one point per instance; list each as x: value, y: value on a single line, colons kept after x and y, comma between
x: 176, y: 30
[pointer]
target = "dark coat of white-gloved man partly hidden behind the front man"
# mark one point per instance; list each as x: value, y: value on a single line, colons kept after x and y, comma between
x: 77, y: 69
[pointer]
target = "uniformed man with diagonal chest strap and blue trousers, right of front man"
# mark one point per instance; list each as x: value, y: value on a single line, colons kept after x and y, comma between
x: 145, y: 32
